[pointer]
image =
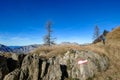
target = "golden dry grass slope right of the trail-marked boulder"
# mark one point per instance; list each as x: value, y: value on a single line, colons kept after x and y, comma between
x: 113, y: 53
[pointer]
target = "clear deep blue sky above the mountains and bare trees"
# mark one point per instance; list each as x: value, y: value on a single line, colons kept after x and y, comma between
x: 22, y: 22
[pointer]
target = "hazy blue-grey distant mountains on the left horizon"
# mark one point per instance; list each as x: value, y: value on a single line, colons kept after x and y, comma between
x: 18, y: 49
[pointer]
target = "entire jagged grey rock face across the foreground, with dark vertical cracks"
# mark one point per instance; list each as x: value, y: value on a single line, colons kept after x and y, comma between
x: 61, y: 67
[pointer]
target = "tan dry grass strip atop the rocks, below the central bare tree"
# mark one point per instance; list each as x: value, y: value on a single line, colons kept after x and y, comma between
x: 56, y: 50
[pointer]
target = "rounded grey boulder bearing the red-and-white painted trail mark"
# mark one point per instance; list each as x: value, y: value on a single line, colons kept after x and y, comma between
x: 67, y: 66
